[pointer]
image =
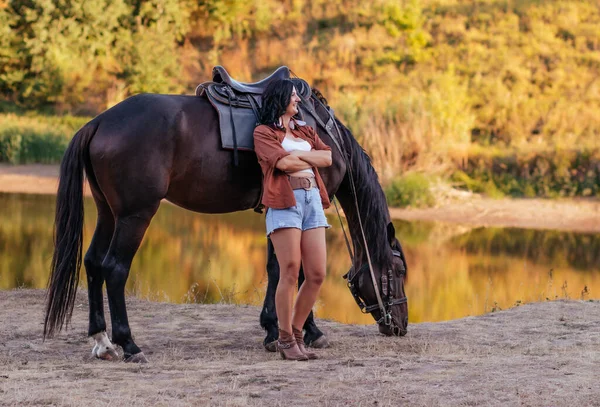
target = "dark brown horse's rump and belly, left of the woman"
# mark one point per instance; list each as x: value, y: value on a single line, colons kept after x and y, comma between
x: 153, y: 146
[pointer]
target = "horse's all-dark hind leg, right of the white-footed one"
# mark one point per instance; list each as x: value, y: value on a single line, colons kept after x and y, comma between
x: 127, y: 236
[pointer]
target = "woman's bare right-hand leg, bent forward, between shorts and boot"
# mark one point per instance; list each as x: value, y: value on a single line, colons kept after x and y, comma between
x: 314, y: 261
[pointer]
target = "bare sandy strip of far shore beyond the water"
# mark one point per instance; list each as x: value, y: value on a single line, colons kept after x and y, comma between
x: 454, y: 206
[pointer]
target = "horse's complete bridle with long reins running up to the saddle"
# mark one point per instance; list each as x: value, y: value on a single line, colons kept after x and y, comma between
x: 383, y: 306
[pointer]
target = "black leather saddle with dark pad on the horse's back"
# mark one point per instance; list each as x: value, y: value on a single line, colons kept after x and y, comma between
x: 238, y: 105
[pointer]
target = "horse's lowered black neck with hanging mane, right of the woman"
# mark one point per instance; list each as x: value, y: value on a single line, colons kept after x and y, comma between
x: 372, y: 211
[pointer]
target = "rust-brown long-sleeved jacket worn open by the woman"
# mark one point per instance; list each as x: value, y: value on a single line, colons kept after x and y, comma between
x: 277, y: 191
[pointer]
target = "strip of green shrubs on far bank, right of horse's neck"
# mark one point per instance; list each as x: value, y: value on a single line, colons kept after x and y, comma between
x: 495, y: 173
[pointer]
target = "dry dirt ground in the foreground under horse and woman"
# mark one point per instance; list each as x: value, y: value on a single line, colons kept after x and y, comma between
x: 542, y: 354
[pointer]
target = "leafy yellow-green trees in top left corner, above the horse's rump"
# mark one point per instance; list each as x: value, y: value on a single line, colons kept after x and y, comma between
x: 71, y: 54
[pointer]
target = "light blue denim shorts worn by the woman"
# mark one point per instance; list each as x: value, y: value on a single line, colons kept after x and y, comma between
x: 306, y: 214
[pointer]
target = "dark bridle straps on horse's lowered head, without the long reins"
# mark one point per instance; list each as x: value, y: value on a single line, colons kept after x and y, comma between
x: 387, y: 289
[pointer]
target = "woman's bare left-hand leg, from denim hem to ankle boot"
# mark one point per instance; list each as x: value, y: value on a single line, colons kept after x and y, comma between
x: 287, y: 248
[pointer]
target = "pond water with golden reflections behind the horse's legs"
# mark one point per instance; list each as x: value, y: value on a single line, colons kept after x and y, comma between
x: 187, y: 257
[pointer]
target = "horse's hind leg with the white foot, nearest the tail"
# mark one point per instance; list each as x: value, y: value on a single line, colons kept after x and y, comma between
x: 103, y: 349
